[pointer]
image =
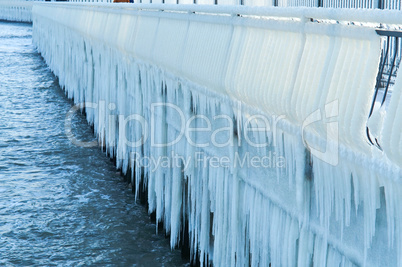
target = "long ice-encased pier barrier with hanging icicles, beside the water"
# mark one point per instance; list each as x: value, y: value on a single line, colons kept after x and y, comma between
x: 150, y: 74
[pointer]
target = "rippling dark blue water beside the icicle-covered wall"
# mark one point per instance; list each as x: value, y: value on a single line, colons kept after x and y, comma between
x: 60, y: 204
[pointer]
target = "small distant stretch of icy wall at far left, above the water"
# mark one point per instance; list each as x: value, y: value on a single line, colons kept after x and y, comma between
x: 16, y: 10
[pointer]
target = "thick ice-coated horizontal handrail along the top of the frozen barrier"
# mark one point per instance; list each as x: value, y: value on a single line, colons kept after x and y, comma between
x: 326, y: 14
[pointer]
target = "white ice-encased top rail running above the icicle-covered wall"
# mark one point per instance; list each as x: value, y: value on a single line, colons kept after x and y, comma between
x: 369, y: 18
